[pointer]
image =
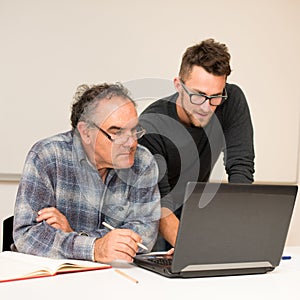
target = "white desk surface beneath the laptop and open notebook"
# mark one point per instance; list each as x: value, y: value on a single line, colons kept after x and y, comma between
x: 282, y: 283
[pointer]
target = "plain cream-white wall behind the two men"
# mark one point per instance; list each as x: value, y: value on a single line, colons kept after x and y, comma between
x: 50, y: 47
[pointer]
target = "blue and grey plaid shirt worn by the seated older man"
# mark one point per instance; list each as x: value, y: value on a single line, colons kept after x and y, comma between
x: 58, y: 174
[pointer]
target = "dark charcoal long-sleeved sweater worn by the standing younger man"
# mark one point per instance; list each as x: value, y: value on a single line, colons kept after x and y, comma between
x: 189, y: 153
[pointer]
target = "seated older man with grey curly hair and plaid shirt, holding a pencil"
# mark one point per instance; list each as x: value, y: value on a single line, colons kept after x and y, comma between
x: 95, y: 173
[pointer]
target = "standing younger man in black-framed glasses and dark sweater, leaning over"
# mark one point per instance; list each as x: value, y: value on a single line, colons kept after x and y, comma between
x: 187, y: 131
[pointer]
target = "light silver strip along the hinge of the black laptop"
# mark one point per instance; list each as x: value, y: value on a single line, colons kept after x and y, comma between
x: 246, y: 265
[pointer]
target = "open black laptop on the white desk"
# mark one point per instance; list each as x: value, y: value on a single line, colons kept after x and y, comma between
x: 227, y: 229
